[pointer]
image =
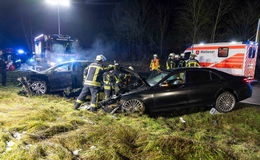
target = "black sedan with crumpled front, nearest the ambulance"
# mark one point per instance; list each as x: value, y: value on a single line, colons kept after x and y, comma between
x: 187, y: 87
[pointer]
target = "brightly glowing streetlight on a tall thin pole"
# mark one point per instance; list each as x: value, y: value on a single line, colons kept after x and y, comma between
x: 58, y: 4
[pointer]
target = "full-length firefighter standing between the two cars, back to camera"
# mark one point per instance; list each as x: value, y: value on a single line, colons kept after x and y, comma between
x: 92, y: 83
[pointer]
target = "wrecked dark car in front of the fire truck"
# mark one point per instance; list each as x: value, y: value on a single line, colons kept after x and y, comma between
x: 62, y: 77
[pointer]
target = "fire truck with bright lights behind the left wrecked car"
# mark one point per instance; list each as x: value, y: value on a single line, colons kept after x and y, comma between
x: 53, y: 49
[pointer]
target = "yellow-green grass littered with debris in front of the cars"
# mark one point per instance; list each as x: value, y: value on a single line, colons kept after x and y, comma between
x: 53, y: 130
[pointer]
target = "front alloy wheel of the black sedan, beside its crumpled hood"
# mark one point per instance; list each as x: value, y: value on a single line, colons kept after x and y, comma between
x: 133, y: 106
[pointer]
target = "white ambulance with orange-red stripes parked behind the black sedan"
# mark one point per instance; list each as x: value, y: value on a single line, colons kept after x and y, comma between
x: 237, y: 58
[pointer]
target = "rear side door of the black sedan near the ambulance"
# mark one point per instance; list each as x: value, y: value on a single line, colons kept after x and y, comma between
x: 202, y: 87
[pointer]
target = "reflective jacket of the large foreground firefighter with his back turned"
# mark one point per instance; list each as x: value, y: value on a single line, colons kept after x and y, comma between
x: 93, y: 74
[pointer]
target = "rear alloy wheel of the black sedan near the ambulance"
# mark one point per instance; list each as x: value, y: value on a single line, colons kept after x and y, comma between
x: 225, y: 102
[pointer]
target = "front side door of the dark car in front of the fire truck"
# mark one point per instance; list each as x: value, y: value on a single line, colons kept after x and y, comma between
x: 61, y: 77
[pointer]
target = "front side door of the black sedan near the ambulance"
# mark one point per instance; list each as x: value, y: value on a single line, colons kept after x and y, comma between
x: 171, y: 93
